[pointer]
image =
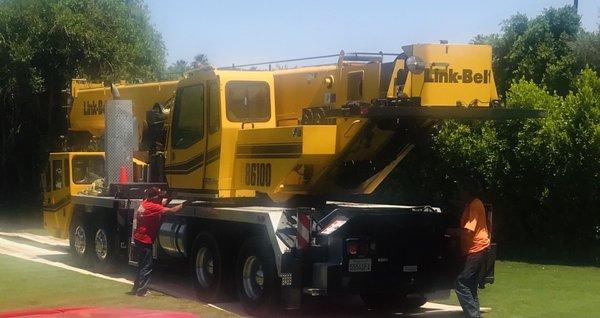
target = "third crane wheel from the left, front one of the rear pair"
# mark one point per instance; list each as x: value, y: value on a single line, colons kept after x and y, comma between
x: 209, y: 267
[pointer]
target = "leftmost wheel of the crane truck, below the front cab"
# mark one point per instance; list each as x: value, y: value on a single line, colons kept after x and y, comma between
x: 80, y: 241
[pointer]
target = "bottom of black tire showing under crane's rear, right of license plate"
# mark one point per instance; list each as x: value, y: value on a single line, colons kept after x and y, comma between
x: 393, y: 302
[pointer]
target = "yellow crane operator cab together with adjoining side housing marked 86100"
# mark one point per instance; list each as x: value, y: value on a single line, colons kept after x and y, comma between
x: 227, y: 140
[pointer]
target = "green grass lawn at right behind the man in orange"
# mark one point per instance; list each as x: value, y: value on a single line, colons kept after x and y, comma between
x: 536, y: 290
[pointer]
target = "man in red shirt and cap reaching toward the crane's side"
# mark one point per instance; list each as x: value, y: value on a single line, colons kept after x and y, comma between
x: 148, y: 218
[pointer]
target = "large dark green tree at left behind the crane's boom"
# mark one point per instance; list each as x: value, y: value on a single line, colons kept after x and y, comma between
x: 46, y: 43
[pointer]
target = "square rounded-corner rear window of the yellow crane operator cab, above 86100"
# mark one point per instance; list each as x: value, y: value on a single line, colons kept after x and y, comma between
x: 248, y: 101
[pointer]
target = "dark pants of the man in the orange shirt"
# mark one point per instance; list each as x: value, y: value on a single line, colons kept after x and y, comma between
x: 467, y: 282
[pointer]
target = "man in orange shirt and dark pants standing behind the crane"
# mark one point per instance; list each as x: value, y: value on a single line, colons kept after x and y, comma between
x: 475, y: 239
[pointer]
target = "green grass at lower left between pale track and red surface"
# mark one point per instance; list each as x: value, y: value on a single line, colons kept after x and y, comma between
x: 26, y: 284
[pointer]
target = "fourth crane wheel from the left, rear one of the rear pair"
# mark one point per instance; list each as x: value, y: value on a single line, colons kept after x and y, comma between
x: 256, y: 278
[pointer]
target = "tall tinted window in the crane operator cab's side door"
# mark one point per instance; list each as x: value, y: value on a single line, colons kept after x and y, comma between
x: 188, y: 118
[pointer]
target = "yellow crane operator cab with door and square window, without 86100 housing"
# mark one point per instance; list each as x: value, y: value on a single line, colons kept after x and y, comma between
x: 211, y: 106
